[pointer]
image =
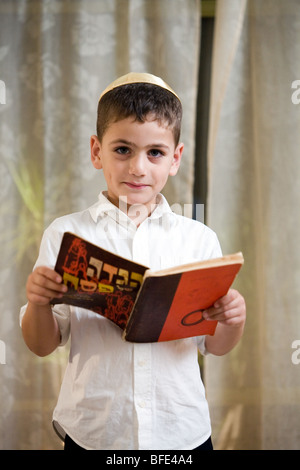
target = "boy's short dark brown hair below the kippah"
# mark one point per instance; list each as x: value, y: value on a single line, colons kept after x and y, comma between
x: 139, y: 100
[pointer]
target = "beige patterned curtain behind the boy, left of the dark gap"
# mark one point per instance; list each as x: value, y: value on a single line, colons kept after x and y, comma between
x: 55, y: 59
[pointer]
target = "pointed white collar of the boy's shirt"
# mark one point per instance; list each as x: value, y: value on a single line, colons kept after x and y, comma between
x: 104, y: 206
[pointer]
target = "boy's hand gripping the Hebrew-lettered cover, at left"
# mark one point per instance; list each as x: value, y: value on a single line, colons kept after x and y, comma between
x: 44, y: 284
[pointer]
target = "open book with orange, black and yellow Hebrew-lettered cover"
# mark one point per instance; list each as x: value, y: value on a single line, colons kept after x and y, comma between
x: 149, y: 306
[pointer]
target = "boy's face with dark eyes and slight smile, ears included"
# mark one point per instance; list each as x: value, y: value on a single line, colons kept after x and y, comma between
x: 136, y: 159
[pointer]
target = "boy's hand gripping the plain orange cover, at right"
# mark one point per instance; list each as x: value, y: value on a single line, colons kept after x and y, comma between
x: 229, y: 310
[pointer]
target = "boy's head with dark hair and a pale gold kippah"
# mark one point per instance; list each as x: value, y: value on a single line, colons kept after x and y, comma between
x: 137, y: 146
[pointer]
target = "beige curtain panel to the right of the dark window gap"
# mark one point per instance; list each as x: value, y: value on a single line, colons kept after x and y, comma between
x: 254, y: 193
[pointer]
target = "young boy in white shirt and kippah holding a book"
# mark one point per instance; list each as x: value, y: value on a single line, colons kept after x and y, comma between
x: 116, y: 394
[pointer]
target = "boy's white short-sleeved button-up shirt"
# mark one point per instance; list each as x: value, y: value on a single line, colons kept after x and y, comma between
x: 121, y: 395
